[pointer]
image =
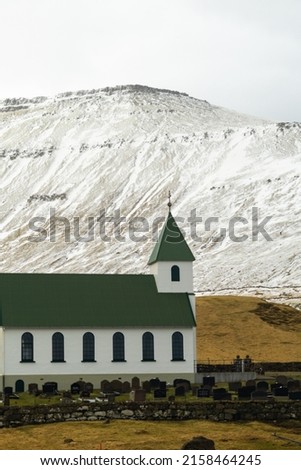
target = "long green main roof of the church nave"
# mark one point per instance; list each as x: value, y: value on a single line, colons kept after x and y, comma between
x: 89, y: 300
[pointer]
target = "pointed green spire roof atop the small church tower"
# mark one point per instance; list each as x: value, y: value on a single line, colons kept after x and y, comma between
x: 171, y: 245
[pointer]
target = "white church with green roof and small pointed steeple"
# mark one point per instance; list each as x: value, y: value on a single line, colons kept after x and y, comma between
x: 66, y: 327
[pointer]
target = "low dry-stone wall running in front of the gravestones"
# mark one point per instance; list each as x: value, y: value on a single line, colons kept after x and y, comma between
x: 12, y: 416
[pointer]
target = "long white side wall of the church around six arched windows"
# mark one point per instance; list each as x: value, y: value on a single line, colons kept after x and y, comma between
x: 42, y: 365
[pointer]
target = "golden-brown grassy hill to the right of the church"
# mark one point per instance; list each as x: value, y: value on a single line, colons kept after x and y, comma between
x: 232, y: 325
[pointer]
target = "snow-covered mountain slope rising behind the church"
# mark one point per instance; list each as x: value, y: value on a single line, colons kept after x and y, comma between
x: 117, y: 152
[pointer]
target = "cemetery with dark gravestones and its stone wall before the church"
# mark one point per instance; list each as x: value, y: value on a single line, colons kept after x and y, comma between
x: 275, y: 398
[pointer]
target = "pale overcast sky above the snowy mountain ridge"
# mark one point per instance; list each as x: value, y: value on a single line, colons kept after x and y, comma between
x: 240, y: 54
